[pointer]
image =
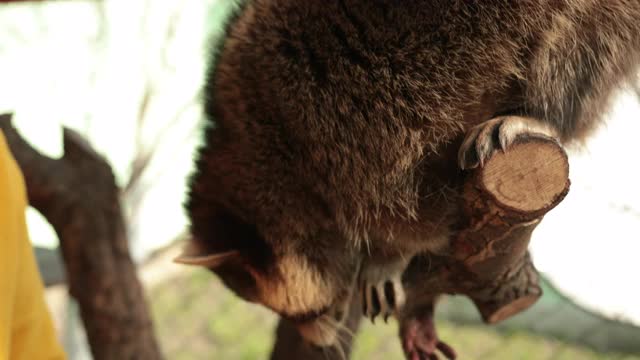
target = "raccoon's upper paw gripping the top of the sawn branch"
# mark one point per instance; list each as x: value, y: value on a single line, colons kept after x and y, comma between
x: 498, y: 133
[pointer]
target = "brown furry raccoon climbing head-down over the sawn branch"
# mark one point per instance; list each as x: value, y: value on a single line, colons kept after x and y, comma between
x: 338, y: 131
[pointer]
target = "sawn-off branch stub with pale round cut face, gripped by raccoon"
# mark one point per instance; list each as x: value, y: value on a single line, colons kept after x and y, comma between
x: 504, y: 202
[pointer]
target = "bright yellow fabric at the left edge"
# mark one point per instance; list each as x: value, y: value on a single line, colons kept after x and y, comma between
x: 26, y: 329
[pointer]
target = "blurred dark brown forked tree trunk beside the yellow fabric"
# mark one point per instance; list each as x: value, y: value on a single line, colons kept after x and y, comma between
x: 77, y: 194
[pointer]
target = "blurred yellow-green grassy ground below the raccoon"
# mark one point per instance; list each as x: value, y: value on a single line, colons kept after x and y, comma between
x: 197, y: 318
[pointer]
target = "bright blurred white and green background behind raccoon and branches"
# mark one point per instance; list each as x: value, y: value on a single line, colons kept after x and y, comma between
x: 127, y: 75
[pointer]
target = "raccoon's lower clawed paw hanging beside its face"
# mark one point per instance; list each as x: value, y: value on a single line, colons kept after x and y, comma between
x: 381, y: 289
